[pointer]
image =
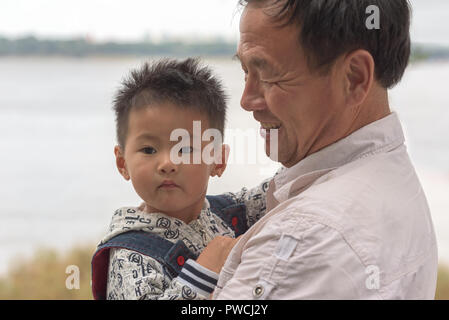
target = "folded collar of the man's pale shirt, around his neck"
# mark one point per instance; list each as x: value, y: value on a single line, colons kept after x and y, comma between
x: 380, y: 136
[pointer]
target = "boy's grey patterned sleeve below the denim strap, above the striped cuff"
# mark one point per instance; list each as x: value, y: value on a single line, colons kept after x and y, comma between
x: 133, y: 276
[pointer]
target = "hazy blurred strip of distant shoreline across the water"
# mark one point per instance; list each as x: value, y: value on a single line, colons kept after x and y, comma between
x: 31, y: 46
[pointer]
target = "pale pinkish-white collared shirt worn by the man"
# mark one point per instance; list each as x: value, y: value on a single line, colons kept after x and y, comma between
x: 348, y: 222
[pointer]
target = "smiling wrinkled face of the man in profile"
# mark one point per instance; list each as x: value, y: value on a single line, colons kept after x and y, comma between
x: 280, y: 89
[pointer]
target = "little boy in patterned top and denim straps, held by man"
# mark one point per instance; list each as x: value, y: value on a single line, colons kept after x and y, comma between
x: 150, y: 250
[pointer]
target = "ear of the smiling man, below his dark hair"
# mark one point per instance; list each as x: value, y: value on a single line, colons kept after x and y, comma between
x: 359, y: 76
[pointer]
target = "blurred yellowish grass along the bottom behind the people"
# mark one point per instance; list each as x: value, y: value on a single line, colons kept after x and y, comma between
x: 43, y: 276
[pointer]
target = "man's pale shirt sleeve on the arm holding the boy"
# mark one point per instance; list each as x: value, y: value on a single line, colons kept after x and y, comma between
x: 295, y: 258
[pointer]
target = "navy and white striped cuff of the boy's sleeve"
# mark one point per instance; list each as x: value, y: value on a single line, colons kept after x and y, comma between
x: 197, y: 277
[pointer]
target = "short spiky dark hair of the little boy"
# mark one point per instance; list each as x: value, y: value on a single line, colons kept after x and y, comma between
x: 185, y: 83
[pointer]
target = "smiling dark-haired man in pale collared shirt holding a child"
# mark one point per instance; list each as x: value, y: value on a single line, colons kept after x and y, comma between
x: 347, y: 218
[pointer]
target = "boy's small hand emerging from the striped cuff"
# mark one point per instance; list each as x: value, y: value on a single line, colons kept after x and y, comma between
x: 214, y: 255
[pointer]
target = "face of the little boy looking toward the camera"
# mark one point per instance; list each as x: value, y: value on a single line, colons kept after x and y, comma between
x: 177, y: 190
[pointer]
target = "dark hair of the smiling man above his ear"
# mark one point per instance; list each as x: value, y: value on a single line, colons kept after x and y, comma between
x: 330, y: 28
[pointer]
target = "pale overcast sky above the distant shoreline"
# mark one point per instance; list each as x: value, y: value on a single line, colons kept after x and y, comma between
x: 133, y: 19
